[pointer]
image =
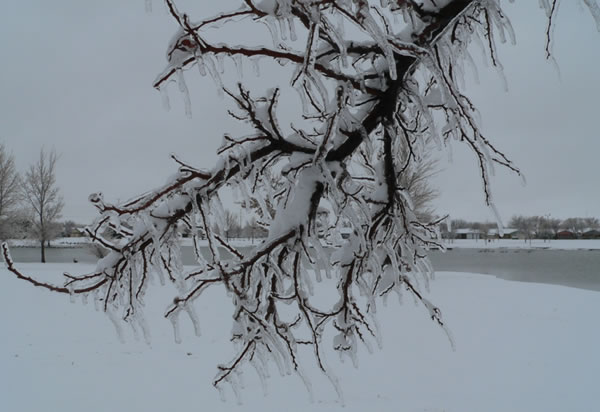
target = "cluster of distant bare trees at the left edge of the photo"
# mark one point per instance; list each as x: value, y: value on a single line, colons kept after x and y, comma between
x: 30, y: 202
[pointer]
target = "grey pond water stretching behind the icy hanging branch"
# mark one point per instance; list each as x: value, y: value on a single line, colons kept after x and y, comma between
x: 574, y: 268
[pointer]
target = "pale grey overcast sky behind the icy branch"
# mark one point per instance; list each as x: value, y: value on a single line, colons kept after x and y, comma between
x: 76, y: 76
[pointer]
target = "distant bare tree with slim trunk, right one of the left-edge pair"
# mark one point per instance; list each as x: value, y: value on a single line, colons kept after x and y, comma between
x: 42, y: 196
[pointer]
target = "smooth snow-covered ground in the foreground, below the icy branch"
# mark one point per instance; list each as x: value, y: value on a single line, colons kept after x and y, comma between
x: 519, y: 347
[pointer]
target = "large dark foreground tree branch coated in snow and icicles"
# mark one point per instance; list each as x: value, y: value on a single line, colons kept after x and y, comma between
x: 372, y: 96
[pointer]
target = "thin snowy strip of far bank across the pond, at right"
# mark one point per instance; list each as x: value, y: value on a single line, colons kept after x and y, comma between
x: 566, y: 244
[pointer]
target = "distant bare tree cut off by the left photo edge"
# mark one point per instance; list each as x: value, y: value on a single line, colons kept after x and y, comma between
x: 9, y: 190
